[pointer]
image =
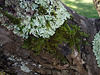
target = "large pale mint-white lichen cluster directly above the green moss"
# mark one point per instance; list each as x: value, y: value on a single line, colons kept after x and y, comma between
x: 40, y: 18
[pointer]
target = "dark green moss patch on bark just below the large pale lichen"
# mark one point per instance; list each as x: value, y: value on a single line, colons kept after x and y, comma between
x: 72, y: 35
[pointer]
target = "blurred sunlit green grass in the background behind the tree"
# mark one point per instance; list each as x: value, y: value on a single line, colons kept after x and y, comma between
x: 82, y: 7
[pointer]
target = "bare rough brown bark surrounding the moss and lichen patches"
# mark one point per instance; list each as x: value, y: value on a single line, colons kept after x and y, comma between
x: 15, y: 60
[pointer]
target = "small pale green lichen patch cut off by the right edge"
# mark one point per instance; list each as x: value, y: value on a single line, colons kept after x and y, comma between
x: 96, y: 47
